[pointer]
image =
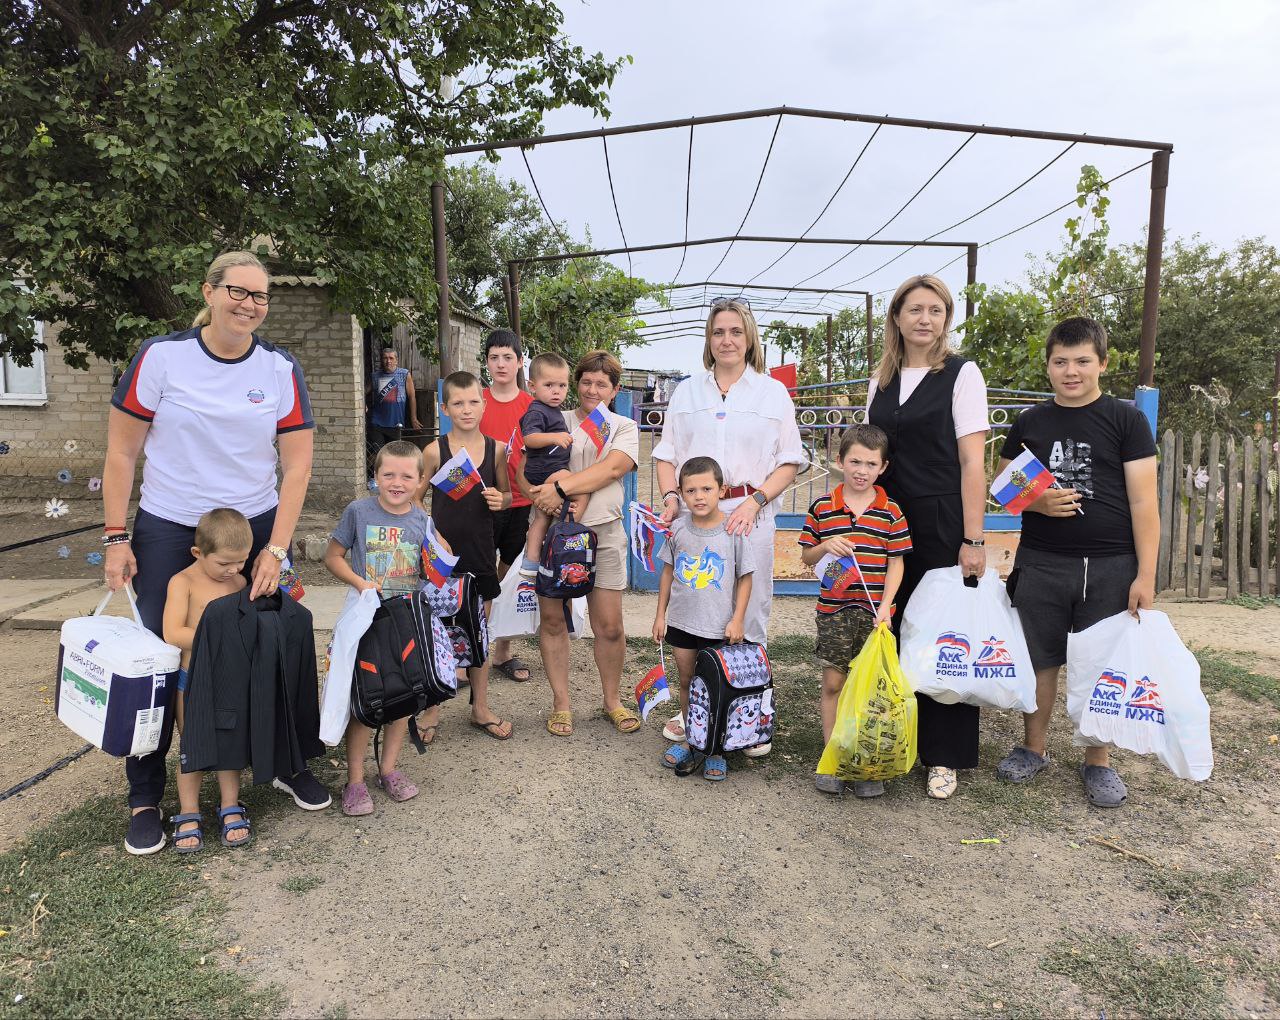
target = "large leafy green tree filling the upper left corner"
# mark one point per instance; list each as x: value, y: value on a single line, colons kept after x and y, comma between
x: 141, y: 139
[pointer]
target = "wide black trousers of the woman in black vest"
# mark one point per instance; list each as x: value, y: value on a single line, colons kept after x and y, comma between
x: 948, y: 735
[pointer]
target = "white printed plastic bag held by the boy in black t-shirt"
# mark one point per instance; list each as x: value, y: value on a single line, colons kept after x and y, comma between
x: 1135, y: 685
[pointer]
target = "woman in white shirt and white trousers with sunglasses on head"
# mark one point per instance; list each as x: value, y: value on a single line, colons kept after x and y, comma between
x: 747, y: 423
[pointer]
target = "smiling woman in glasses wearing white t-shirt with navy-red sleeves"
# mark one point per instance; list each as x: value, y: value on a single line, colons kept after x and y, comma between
x: 214, y: 408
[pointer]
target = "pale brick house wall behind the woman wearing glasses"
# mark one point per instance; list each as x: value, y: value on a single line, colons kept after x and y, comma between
x: 330, y: 345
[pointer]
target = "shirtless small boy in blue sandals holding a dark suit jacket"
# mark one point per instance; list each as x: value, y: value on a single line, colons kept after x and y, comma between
x: 223, y: 541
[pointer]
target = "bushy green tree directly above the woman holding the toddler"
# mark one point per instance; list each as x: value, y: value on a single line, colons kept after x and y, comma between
x: 588, y: 305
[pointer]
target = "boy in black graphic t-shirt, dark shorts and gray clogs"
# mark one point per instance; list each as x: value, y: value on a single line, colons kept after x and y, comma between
x: 1089, y: 548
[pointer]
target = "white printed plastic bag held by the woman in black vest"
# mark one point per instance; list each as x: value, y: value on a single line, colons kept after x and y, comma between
x: 967, y: 644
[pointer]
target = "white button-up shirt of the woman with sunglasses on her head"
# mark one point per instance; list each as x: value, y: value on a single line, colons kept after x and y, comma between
x: 751, y: 433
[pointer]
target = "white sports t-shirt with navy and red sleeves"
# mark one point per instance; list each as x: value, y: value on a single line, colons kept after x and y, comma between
x: 214, y: 423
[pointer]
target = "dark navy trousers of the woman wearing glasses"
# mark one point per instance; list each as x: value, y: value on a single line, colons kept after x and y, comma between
x: 163, y: 548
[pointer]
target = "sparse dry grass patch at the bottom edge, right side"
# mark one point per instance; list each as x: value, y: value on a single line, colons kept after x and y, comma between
x: 1130, y: 981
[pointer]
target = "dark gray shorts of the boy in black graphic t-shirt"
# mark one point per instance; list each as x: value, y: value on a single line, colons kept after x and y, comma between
x: 1057, y: 596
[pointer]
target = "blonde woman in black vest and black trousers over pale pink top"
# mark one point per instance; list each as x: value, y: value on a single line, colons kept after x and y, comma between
x: 934, y: 408
